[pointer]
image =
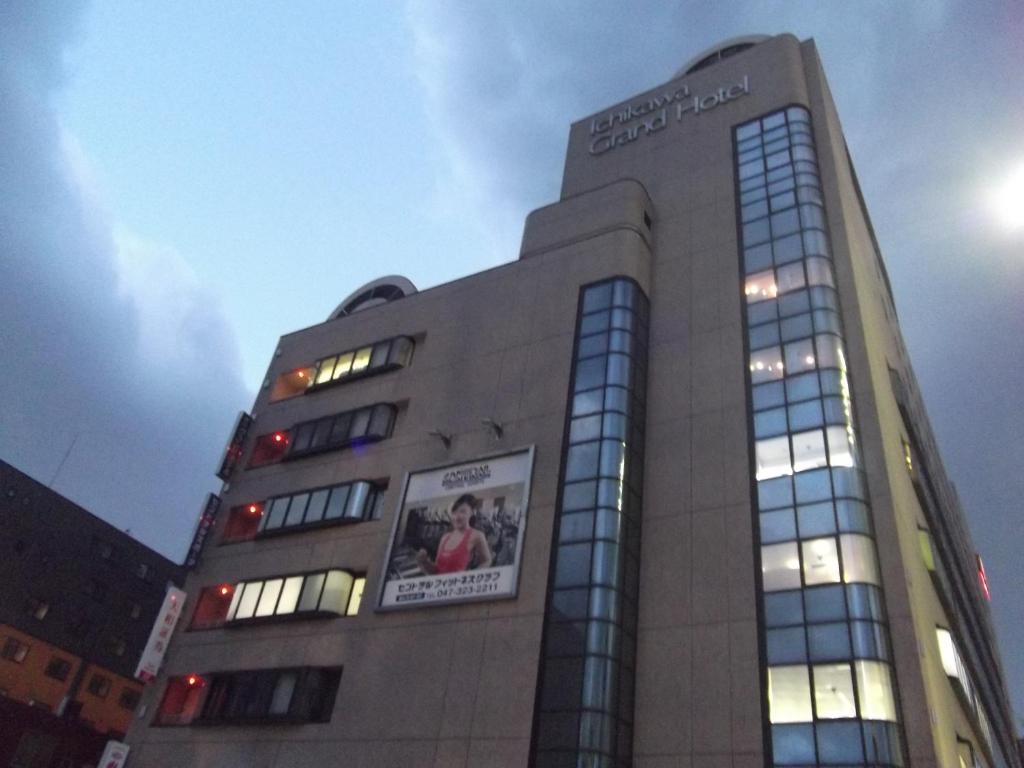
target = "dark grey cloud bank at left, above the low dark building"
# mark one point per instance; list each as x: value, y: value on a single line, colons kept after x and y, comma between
x: 139, y: 430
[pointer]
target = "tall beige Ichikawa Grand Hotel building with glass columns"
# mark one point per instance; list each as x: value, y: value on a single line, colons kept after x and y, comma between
x: 660, y: 493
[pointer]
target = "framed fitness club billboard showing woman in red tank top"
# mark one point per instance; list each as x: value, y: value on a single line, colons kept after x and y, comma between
x: 459, y: 533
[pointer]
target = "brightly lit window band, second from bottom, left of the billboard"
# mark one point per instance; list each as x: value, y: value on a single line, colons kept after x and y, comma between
x: 331, y: 592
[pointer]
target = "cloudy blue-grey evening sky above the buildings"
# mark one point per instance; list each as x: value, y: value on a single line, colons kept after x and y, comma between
x: 181, y: 184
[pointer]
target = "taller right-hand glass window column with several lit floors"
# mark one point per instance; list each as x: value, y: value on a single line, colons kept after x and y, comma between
x: 831, y: 691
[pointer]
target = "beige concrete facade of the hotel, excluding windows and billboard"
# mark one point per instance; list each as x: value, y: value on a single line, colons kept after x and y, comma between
x: 455, y: 687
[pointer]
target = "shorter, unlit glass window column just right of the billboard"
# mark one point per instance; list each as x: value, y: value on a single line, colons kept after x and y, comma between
x: 585, y: 699
